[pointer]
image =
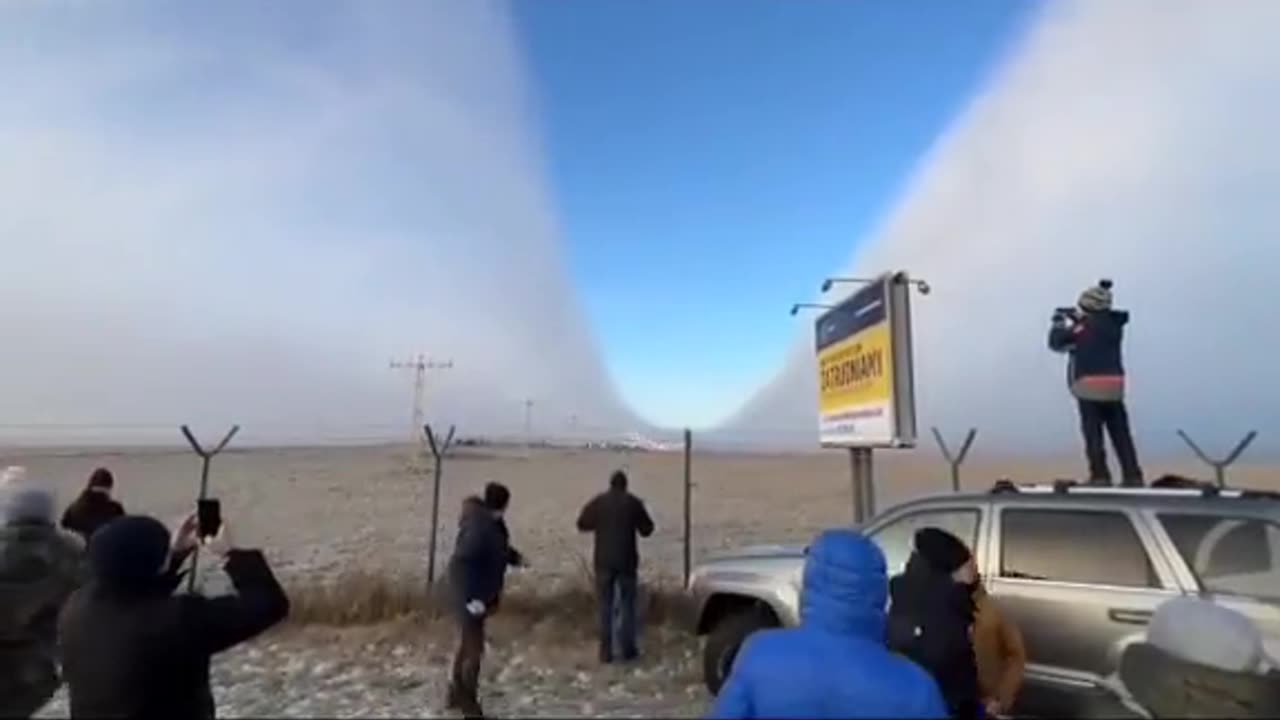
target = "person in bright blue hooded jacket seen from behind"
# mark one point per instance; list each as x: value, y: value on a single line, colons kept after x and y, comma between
x: 836, y: 664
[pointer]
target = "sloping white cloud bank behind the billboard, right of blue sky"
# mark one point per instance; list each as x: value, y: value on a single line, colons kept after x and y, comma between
x: 1124, y: 140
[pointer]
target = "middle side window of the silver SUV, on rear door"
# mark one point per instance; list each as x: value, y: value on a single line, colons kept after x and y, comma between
x: 1069, y: 546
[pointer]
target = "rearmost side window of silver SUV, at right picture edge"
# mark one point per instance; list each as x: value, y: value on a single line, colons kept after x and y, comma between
x: 1228, y: 555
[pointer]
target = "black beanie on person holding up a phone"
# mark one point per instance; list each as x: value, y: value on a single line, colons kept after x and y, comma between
x: 130, y: 553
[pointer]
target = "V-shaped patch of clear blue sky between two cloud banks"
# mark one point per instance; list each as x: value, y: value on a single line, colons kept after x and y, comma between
x: 711, y: 162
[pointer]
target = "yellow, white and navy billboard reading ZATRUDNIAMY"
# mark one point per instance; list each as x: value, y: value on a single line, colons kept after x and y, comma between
x: 866, y: 390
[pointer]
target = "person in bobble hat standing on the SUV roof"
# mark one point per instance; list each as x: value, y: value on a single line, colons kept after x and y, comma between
x: 1092, y: 338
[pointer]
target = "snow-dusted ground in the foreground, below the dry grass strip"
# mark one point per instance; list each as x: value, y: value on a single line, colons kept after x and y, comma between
x: 401, y: 671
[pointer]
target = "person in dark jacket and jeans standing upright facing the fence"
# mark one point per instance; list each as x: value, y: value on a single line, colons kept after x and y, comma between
x: 616, y: 518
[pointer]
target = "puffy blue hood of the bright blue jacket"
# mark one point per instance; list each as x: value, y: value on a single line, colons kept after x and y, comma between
x: 845, y: 586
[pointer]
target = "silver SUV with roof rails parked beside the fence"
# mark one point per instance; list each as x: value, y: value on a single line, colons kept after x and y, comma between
x: 1080, y: 569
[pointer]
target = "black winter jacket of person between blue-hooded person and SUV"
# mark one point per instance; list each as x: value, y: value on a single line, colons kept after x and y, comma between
x: 931, y: 622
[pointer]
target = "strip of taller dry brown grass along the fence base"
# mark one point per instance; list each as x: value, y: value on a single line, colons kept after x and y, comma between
x: 359, y: 599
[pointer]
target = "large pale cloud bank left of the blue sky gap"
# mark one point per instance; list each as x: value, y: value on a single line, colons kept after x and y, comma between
x: 241, y: 213
